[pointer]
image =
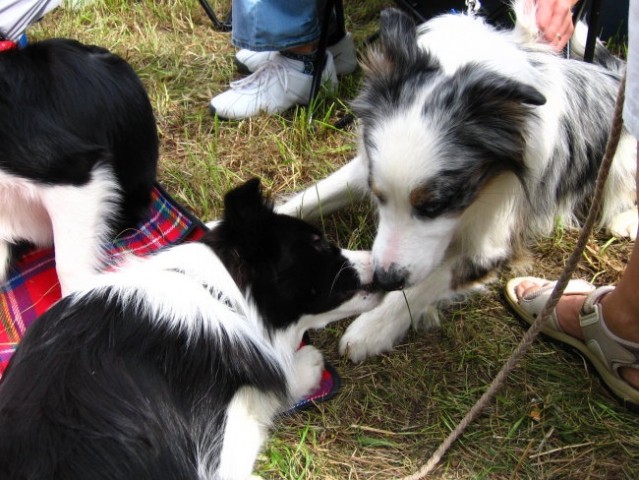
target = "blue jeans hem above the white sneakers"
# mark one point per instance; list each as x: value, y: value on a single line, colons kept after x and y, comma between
x: 273, y: 25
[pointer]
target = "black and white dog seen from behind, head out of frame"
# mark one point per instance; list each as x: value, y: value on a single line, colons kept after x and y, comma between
x: 78, y: 153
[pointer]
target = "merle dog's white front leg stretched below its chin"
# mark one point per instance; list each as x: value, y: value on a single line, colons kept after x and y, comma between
x: 382, y: 328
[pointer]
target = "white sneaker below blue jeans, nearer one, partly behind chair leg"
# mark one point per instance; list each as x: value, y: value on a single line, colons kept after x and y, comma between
x: 275, y: 87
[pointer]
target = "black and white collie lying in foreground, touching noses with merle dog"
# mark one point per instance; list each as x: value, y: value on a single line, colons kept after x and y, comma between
x: 174, y: 366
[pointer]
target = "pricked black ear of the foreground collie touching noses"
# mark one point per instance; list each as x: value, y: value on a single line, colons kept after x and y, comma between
x: 245, y: 206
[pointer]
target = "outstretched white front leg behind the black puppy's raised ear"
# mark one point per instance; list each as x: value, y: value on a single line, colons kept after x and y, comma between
x: 348, y: 184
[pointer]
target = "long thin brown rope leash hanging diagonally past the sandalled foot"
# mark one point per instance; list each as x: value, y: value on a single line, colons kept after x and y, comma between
x: 538, y: 324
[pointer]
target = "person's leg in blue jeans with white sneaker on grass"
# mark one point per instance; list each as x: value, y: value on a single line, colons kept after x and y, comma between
x: 285, y: 78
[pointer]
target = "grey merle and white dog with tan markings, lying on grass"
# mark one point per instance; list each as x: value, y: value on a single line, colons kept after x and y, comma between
x: 473, y: 140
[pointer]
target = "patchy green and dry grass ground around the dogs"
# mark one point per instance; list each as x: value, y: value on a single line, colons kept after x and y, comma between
x: 552, y: 420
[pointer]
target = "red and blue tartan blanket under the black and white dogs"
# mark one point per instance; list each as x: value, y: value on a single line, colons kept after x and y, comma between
x: 33, y: 285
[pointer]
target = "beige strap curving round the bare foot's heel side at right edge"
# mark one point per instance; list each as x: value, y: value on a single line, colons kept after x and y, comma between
x: 612, y: 350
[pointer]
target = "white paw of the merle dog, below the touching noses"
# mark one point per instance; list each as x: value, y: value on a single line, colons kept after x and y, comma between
x: 372, y: 333
